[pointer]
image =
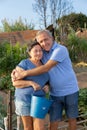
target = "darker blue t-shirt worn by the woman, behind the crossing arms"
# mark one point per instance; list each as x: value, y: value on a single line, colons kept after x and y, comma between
x: 25, y: 93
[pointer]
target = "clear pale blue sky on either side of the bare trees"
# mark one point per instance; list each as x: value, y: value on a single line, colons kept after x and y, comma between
x: 13, y: 9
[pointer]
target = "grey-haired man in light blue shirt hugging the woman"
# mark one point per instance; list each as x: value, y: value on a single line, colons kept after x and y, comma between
x: 63, y: 83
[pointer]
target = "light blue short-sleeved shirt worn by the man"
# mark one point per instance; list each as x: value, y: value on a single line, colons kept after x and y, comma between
x: 62, y: 77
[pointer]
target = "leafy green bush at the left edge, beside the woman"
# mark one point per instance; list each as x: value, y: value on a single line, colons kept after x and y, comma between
x: 9, y: 58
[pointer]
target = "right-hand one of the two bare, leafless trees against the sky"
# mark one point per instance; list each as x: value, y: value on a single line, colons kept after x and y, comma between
x: 59, y: 8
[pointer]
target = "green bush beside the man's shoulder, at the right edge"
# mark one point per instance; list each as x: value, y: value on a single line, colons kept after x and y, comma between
x: 77, y: 48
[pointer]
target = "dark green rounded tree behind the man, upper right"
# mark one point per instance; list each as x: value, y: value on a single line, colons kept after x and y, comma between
x: 68, y: 24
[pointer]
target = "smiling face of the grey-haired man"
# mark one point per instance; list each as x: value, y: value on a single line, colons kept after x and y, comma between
x: 45, y: 41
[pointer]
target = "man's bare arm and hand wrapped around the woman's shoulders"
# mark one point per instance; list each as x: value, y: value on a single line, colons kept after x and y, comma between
x: 36, y: 71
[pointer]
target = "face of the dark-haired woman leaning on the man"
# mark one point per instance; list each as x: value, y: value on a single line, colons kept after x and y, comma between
x: 36, y: 53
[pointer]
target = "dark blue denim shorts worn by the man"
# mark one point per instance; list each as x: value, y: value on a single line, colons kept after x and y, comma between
x: 69, y: 103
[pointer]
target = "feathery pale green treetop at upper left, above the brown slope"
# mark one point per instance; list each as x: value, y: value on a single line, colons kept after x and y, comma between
x: 18, y: 25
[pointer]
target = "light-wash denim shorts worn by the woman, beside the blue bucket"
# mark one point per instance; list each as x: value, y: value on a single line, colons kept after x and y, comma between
x: 22, y: 108
